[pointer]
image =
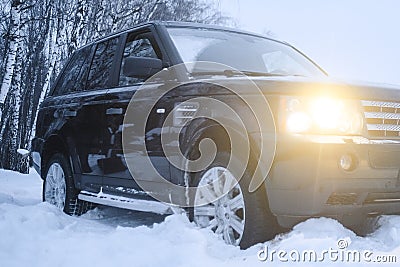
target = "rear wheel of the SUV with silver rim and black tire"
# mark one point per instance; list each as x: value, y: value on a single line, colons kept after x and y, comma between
x: 59, y: 189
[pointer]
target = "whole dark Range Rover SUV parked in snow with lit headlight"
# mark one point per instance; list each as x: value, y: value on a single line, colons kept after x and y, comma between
x: 328, y: 148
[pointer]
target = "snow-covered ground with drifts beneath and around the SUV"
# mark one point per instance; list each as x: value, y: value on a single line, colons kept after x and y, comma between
x: 33, y: 233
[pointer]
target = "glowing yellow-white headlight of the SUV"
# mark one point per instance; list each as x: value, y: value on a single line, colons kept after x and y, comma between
x: 321, y: 115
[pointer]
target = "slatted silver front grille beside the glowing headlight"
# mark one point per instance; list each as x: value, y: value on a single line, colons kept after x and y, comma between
x: 382, y: 118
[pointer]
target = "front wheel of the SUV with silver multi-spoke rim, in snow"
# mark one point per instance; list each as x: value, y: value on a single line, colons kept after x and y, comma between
x: 259, y: 224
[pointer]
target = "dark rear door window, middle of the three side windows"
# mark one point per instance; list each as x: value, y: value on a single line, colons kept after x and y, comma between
x: 100, y: 70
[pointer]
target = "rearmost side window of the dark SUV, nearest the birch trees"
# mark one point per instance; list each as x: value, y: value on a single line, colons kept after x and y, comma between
x: 70, y: 78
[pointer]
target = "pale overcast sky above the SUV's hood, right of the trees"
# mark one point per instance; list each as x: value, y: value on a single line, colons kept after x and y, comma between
x: 351, y: 39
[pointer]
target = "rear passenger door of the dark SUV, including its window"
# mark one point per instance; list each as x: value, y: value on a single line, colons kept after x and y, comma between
x: 91, y: 126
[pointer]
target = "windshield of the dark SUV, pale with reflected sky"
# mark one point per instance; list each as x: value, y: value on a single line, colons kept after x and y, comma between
x: 244, y: 52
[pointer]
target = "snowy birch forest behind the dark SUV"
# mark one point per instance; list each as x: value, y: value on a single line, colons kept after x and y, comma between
x: 37, y: 36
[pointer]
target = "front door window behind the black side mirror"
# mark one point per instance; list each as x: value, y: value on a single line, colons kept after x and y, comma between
x: 137, y: 46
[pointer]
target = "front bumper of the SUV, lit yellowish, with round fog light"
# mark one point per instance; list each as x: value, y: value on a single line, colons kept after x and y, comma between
x: 306, y: 179
